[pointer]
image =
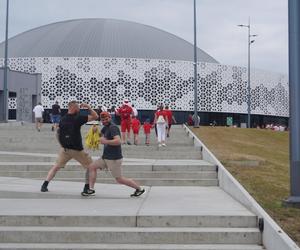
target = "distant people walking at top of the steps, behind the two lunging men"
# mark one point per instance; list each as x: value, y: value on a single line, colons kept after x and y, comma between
x: 126, y: 116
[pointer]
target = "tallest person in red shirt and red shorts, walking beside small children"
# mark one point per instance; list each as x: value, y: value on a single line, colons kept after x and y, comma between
x: 125, y: 112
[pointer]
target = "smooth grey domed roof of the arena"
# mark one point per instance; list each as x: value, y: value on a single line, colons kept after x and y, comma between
x: 101, y: 38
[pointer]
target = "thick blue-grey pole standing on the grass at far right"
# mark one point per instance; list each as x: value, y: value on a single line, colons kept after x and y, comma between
x: 294, y: 89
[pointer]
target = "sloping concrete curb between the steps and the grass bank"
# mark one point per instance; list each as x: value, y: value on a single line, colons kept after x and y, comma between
x: 273, y: 236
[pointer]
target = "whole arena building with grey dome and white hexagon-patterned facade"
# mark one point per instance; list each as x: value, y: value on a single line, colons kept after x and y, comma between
x: 104, y: 61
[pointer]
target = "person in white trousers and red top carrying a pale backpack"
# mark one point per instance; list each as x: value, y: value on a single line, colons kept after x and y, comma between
x: 161, y: 121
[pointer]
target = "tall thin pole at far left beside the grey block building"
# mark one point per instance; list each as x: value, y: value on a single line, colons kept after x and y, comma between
x: 5, y: 88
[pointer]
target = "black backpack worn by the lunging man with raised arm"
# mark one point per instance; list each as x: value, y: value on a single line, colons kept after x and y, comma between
x: 66, y: 132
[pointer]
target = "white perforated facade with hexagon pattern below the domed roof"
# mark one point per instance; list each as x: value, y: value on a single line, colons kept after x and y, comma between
x: 107, y: 81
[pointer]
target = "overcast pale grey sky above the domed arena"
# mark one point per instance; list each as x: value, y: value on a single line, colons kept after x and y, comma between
x: 217, y: 20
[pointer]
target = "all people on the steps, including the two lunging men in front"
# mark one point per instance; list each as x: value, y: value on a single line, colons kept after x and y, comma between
x: 69, y: 136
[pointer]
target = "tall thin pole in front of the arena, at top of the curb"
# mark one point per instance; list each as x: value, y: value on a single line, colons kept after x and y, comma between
x: 196, y: 121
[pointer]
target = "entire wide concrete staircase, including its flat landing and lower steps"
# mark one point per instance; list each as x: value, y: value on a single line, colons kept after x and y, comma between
x: 183, y: 207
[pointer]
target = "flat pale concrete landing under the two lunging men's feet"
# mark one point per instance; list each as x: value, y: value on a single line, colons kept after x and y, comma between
x: 64, y: 199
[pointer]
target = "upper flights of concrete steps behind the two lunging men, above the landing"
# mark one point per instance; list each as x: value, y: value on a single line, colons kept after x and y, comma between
x: 178, y: 164
